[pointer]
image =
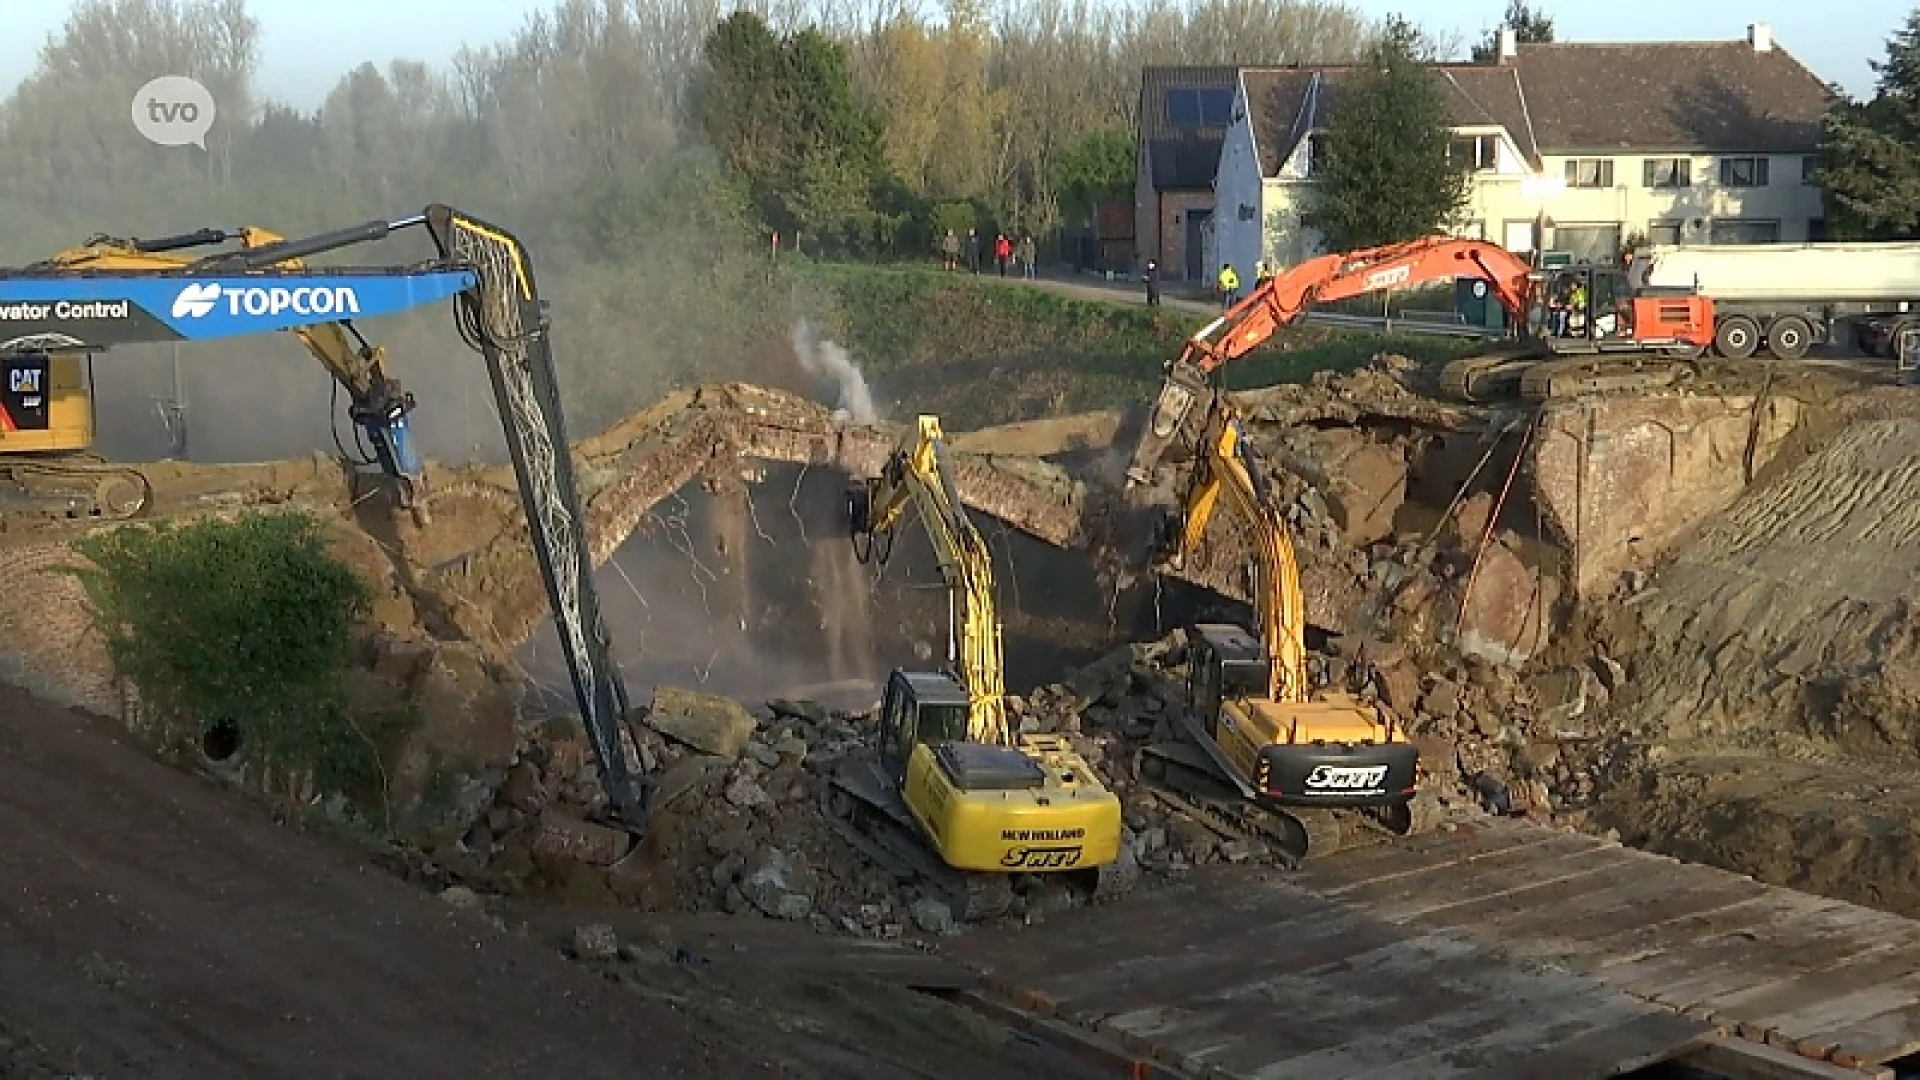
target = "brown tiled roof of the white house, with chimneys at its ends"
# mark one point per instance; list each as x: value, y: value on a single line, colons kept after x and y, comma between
x: 1717, y: 97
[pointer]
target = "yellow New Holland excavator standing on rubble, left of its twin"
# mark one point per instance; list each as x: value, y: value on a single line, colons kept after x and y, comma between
x: 955, y: 798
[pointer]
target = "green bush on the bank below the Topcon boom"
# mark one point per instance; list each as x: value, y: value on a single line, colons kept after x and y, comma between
x: 243, y: 631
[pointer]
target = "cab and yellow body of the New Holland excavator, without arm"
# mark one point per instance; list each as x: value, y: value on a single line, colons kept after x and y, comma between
x: 992, y: 808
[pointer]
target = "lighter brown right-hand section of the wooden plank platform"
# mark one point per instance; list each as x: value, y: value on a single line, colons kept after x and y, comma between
x: 1831, y: 981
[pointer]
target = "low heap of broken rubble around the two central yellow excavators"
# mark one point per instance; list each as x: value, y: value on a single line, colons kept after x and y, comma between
x: 740, y: 827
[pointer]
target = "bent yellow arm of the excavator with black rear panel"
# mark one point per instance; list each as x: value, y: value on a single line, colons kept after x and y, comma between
x: 1226, y: 470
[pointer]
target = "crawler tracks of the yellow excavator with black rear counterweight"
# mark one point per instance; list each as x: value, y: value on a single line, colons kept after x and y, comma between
x: 1184, y: 779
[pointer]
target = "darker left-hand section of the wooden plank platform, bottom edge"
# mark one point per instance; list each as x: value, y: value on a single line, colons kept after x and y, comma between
x: 1237, y: 975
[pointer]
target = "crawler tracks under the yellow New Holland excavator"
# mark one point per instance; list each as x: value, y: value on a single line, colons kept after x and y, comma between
x: 869, y: 814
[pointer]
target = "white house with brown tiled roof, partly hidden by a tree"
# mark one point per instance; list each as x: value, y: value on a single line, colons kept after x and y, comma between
x: 1572, y: 147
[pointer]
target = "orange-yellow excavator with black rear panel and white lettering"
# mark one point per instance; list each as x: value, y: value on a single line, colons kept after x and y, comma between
x: 1262, y: 756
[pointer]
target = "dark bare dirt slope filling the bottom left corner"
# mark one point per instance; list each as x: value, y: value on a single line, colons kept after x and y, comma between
x: 172, y: 931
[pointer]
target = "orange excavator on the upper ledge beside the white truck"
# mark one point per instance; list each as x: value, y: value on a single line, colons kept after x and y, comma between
x: 1577, y: 330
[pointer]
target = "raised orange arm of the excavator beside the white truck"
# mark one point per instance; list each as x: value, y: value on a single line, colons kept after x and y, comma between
x: 1289, y: 295
